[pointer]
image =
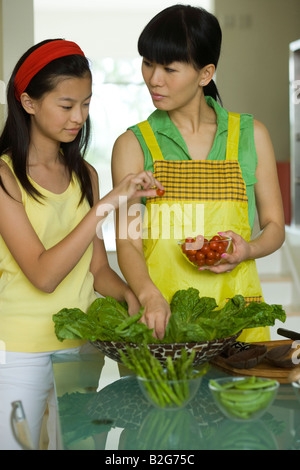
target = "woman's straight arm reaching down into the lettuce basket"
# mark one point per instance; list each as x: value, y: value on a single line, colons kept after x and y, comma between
x: 128, y: 156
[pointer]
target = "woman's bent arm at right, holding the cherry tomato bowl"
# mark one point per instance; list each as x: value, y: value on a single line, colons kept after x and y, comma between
x: 268, y: 204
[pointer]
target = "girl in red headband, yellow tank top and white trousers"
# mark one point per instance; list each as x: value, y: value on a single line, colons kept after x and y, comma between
x: 51, y: 251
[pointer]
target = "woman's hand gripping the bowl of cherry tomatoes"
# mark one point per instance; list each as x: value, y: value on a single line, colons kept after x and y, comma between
x: 241, y: 251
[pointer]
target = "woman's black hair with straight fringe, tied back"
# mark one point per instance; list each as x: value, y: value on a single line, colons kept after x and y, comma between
x: 182, y: 33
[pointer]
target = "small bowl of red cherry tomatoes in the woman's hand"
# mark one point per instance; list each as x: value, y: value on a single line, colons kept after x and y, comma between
x: 204, y: 251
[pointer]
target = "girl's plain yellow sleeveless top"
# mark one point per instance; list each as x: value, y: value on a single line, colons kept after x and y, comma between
x: 26, y: 323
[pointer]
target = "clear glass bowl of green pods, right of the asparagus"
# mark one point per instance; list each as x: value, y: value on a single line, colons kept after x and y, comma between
x: 243, y: 404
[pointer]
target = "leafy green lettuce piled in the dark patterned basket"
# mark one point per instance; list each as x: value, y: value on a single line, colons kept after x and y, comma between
x: 193, y: 319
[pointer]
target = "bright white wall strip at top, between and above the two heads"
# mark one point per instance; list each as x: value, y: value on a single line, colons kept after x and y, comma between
x: 102, y: 28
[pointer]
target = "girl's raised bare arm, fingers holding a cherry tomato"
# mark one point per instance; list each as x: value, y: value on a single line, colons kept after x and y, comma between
x: 46, y: 268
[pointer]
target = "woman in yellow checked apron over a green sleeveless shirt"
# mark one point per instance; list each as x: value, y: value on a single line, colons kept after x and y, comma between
x: 190, y: 134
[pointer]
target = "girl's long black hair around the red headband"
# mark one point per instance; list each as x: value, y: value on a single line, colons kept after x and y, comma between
x: 15, y: 137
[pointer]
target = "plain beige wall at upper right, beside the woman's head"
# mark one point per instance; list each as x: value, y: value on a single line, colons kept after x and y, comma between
x: 253, y: 73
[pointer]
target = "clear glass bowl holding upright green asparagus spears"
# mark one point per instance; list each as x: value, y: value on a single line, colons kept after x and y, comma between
x: 169, y: 394
